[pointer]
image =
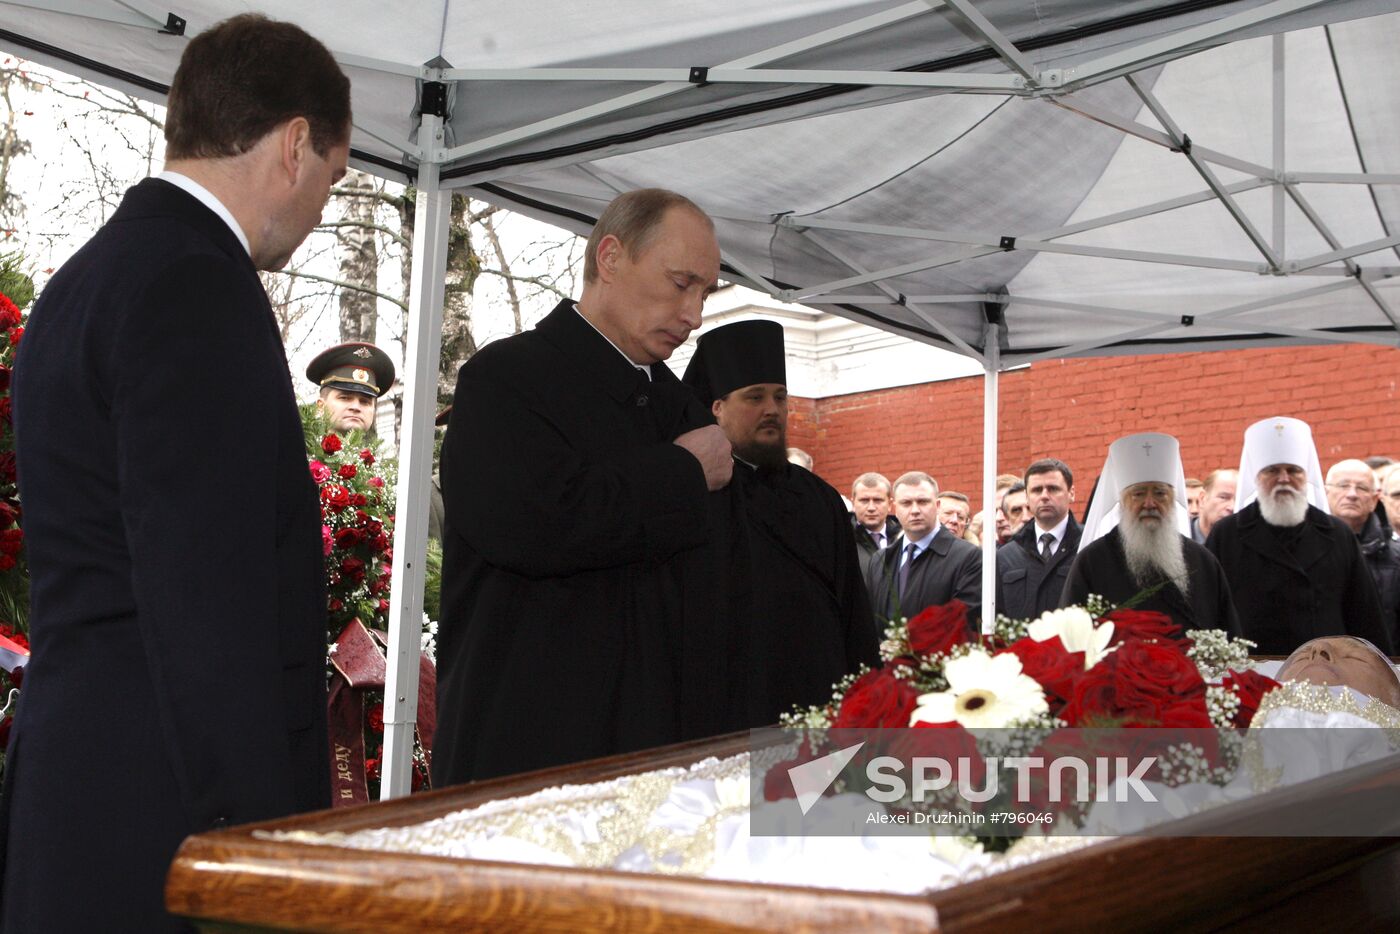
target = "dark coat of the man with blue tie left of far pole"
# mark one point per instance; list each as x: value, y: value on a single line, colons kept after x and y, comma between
x: 948, y: 569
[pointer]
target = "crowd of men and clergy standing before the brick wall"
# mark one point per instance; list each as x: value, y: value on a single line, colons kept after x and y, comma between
x: 1287, y: 555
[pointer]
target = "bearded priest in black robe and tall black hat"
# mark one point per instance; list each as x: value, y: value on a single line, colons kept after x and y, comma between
x: 808, y: 621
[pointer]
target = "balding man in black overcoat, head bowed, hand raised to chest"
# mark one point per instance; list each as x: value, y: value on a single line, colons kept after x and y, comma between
x: 589, y: 617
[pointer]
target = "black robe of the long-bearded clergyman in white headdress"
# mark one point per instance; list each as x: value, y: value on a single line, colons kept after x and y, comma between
x: 1101, y: 568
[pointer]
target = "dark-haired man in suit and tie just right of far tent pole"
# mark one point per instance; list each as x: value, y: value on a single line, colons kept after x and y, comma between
x: 1032, y: 568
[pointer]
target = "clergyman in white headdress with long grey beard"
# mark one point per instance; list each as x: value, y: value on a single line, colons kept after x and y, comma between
x: 1139, y: 554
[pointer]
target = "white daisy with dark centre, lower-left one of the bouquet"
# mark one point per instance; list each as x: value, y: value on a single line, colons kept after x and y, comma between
x: 983, y: 691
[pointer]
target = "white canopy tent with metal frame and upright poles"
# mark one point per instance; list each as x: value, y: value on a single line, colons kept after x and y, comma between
x: 1013, y: 181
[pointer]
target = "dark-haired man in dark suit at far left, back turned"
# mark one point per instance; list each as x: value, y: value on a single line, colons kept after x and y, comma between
x: 178, y: 606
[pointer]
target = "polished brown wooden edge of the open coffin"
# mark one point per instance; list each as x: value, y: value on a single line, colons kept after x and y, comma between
x: 236, y: 877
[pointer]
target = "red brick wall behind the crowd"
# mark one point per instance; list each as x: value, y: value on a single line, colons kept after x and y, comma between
x: 1074, y: 408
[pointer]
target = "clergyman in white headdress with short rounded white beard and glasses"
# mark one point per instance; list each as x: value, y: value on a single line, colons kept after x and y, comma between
x: 1297, y: 573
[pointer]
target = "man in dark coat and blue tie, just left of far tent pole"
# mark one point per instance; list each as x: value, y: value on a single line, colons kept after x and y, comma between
x: 927, y: 565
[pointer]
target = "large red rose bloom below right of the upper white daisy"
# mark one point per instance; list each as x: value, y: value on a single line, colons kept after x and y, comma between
x: 1142, y: 684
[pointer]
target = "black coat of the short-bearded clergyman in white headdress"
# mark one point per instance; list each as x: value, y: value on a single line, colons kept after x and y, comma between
x: 1322, y: 589
